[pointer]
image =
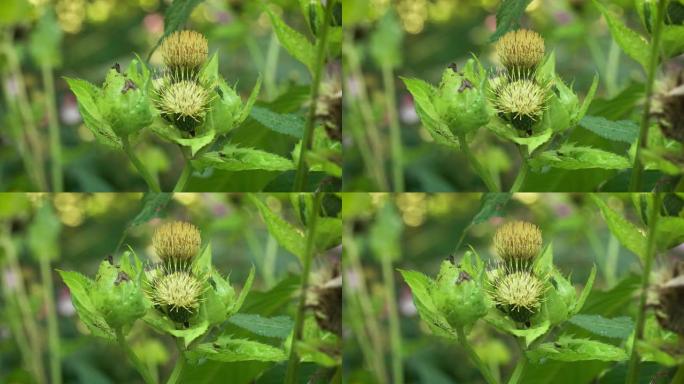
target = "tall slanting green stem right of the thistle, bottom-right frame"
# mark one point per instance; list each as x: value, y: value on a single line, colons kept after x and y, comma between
x: 633, y: 372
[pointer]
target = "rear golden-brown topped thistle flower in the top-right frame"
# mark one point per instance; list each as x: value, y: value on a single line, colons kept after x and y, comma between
x: 520, y: 50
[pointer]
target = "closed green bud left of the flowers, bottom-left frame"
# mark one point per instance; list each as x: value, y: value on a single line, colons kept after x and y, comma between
x: 117, y: 296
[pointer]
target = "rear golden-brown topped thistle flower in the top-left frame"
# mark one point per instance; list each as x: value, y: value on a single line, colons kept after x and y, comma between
x: 184, y: 50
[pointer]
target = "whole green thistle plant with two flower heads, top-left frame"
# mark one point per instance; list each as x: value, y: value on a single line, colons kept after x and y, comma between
x: 185, y: 102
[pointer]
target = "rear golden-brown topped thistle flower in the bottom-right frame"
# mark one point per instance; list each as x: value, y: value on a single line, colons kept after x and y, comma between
x: 517, y: 243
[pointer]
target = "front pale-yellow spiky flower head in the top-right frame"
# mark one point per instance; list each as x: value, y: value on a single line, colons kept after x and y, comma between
x: 522, y: 102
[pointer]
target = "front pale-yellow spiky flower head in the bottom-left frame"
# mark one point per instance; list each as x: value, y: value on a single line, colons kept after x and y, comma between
x: 178, y: 294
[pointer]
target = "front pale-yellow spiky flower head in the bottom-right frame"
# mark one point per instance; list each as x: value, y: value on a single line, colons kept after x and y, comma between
x: 518, y: 294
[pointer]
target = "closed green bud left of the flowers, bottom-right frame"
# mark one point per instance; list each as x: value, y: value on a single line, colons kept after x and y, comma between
x: 459, y: 296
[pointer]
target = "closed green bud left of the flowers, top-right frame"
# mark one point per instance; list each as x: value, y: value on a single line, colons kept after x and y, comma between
x: 461, y: 101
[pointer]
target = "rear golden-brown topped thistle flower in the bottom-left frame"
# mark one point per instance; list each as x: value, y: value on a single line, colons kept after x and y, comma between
x: 176, y: 241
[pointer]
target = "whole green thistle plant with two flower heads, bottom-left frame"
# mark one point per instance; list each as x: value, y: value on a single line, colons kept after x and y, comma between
x: 179, y: 294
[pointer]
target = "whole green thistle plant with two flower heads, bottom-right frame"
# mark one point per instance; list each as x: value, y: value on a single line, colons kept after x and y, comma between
x: 520, y: 293
